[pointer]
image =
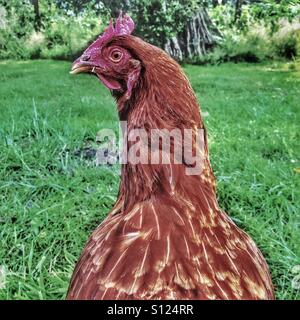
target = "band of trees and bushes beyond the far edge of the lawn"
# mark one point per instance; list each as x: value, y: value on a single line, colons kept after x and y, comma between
x: 190, y: 30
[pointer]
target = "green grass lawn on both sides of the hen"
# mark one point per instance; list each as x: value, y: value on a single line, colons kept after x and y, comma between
x: 51, y: 200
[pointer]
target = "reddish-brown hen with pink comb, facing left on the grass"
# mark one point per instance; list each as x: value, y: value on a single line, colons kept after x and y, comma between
x: 166, y: 237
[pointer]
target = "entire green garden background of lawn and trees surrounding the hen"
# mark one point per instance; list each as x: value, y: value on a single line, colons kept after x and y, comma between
x: 242, y: 59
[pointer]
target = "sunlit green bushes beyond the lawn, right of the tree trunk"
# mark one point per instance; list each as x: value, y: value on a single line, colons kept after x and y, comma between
x: 266, y: 30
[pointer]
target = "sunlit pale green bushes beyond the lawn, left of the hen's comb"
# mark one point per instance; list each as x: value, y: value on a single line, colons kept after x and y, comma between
x: 62, y: 36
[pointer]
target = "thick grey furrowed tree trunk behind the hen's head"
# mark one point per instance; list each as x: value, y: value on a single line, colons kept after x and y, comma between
x: 198, y: 38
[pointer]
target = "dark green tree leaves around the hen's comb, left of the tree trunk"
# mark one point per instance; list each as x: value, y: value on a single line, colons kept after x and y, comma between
x: 155, y: 20
